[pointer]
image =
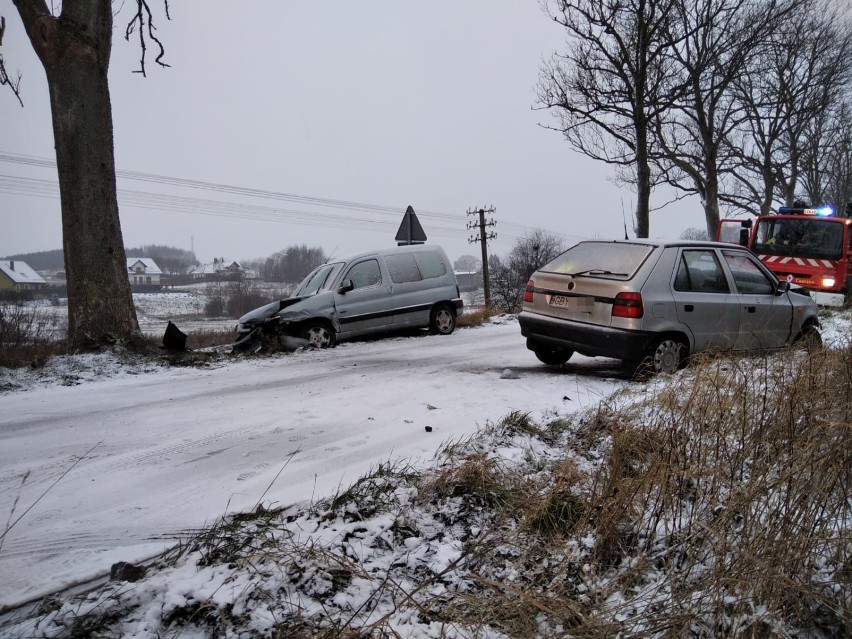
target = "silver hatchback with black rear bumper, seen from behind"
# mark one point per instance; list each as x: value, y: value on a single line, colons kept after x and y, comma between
x: 657, y: 302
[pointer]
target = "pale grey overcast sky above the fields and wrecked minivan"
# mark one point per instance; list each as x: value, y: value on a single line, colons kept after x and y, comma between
x: 379, y: 104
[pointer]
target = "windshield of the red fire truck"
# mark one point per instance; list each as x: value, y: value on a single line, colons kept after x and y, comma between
x: 815, y: 238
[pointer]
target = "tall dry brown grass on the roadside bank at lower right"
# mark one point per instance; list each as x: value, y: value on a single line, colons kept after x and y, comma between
x: 721, y: 508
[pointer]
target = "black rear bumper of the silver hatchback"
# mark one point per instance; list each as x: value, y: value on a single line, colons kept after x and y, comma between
x: 586, y: 339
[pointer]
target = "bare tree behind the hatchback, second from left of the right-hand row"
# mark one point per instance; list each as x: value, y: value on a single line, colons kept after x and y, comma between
x: 720, y: 37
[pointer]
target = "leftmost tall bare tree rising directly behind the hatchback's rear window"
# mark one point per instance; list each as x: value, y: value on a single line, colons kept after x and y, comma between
x: 613, y: 80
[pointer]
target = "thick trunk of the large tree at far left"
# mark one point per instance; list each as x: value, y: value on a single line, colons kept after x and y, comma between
x: 74, y: 50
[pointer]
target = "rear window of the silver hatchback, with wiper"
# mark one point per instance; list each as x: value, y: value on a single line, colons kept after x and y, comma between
x: 609, y: 260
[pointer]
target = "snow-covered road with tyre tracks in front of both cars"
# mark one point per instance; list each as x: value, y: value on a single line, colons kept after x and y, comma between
x: 172, y: 450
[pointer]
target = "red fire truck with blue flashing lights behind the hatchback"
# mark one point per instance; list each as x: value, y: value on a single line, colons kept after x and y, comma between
x: 807, y: 246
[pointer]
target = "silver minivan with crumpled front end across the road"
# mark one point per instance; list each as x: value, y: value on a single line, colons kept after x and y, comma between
x: 379, y: 291
